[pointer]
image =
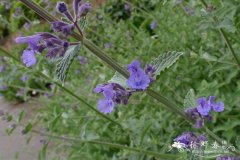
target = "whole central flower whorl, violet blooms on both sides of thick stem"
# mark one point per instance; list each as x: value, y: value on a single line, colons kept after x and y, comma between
x: 138, y: 80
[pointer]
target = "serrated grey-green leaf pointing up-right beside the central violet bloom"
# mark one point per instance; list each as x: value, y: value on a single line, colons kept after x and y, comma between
x: 165, y: 61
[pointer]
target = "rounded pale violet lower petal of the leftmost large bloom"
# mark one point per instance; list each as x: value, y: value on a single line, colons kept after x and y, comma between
x: 28, y: 58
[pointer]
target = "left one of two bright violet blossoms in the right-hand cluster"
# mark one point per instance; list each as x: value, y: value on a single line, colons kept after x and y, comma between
x: 203, y: 107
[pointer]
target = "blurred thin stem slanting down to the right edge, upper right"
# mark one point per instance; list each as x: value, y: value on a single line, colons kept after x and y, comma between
x: 224, y: 35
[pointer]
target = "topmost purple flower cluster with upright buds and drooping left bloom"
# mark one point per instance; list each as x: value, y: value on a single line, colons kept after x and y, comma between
x: 56, y: 47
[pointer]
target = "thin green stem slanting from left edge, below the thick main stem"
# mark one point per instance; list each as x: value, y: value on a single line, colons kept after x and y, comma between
x: 65, y: 89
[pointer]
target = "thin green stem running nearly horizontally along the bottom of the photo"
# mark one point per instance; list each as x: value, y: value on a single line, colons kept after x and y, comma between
x: 113, y: 145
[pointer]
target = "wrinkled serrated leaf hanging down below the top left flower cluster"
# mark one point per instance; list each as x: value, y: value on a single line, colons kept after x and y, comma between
x: 65, y: 62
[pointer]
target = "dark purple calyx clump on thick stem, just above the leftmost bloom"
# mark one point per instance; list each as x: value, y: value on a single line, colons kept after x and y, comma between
x: 60, y: 26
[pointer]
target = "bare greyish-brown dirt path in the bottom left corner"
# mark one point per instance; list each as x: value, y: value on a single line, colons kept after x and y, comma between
x: 15, y: 145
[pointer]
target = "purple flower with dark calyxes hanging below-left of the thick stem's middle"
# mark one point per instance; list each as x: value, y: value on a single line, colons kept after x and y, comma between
x: 113, y: 93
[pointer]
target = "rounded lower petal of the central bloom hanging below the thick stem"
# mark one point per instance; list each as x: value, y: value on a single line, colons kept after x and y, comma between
x: 105, y: 105
